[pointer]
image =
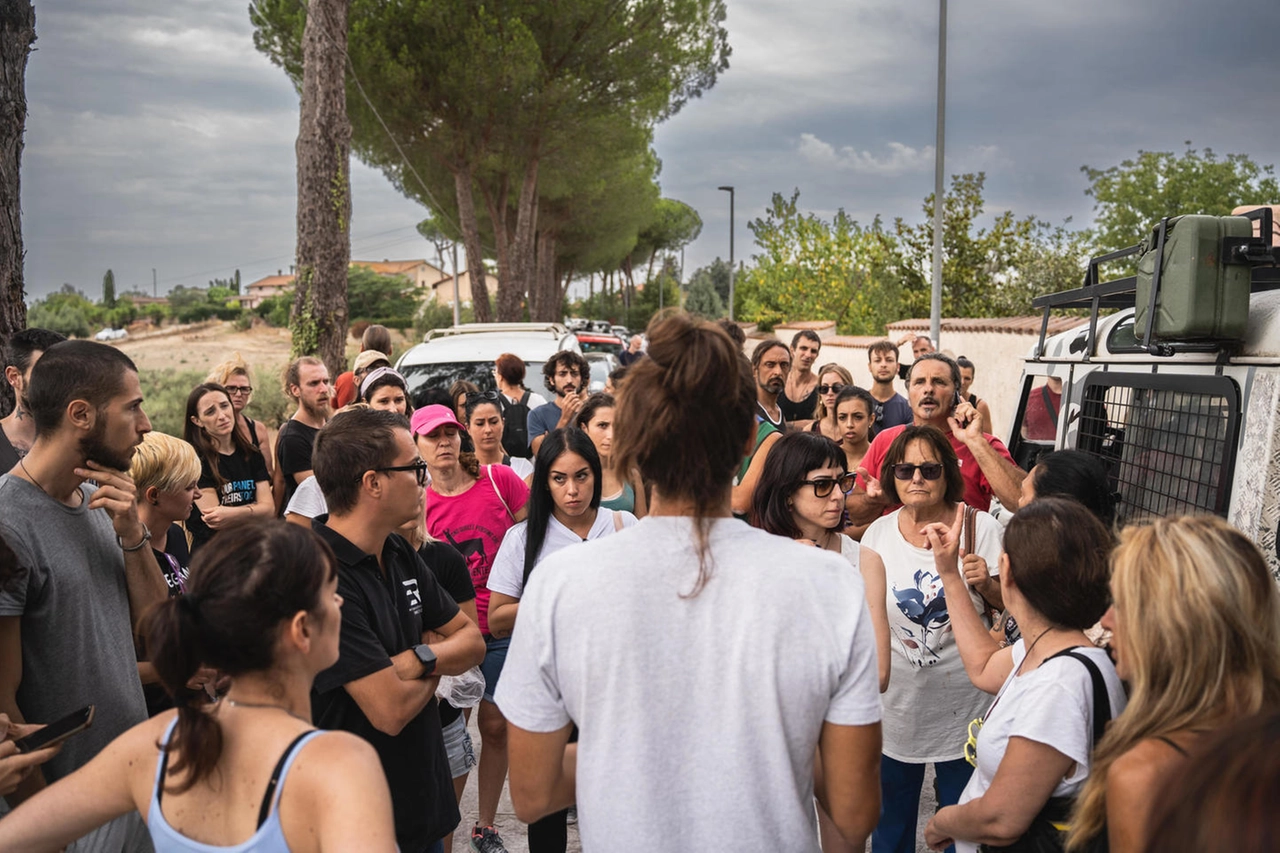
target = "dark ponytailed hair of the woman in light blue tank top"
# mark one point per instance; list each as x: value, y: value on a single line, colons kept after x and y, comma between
x: 237, y: 597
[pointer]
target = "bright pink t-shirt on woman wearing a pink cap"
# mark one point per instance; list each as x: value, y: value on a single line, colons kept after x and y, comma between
x: 476, y: 523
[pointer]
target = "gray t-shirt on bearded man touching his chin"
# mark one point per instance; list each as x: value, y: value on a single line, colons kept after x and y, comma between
x: 77, y: 641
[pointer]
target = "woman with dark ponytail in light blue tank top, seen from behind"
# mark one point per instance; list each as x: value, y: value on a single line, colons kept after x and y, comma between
x: 266, y: 610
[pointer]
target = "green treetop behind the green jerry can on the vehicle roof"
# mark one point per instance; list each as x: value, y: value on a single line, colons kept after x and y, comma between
x: 1135, y: 197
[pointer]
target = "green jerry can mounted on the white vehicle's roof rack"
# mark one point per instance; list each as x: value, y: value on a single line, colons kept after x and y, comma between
x: 1201, y: 299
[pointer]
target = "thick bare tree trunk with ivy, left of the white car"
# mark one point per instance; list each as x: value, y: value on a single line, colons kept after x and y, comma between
x: 324, y: 190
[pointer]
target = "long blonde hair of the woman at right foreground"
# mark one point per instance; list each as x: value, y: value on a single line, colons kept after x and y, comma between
x: 1200, y: 635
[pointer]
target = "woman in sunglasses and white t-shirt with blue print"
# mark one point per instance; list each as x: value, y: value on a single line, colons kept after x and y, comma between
x: 930, y: 699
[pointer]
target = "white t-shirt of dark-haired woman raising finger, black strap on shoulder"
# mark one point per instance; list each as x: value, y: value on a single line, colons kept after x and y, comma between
x: 1052, y: 705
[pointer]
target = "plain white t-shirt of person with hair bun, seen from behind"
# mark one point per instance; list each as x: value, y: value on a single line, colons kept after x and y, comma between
x: 698, y: 714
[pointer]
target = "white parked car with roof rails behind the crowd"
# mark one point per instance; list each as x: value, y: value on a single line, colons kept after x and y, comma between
x: 469, y: 353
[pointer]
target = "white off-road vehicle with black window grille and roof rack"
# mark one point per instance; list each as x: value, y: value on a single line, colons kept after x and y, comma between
x: 1182, y: 426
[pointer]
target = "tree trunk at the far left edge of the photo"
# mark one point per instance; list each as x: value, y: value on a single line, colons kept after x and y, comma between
x: 17, y: 34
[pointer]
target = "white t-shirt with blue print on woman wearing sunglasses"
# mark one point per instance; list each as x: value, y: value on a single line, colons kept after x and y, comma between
x: 930, y: 699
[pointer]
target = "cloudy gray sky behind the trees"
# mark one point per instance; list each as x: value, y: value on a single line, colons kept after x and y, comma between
x: 159, y: 139
